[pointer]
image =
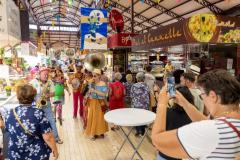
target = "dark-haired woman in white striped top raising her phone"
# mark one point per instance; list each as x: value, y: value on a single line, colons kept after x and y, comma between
x: 218, y: 138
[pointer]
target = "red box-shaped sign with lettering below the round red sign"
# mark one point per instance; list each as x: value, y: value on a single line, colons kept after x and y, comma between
x: 120, y: 40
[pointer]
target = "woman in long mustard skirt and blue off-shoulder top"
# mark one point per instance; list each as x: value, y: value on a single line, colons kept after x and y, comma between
x: 96, y: 125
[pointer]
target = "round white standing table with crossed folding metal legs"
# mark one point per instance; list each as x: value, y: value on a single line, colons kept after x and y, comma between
x: 130, y: 117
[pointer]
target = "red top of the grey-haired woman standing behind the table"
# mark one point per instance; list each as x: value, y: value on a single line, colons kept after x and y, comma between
x: 113, y: 103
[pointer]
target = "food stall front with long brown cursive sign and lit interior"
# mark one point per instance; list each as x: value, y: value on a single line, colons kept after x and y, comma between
x: 205, y: 40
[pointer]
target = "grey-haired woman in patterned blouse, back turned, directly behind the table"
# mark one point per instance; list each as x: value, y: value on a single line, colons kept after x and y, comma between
x: 140, y: 98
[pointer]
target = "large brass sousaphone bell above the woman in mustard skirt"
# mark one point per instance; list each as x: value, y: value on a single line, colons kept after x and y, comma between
x: 94, y: 61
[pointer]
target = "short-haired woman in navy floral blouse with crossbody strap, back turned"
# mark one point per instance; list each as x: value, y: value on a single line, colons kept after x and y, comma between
x: 30, y: 133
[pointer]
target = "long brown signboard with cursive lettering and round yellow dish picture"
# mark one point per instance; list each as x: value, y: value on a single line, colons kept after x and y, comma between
x: 206, y: 28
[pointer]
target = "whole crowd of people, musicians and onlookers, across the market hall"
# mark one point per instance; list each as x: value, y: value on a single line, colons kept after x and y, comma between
x: 32, y: 131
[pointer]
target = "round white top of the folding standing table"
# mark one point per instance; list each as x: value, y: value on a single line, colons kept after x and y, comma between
x: 128, y: 117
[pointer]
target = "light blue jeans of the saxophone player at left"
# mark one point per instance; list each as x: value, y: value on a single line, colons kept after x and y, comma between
x: 50, y: 117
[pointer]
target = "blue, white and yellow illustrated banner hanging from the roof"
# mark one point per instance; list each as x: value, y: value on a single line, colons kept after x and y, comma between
x: 94, y: 28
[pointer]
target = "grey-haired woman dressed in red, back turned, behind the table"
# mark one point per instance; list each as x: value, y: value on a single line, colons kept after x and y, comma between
x: 116, y: 94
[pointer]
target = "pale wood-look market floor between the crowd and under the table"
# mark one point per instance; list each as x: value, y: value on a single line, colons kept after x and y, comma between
x: 77, y: 146
